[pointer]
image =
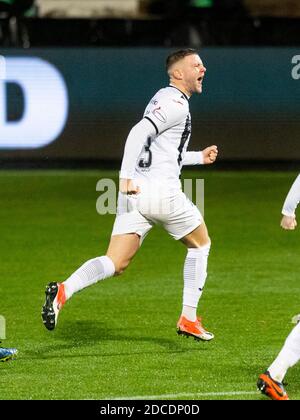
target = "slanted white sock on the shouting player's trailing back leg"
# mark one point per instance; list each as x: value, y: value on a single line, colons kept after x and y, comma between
x: 89, y: 273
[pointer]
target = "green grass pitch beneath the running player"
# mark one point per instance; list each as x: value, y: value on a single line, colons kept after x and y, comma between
x: 118, y: 338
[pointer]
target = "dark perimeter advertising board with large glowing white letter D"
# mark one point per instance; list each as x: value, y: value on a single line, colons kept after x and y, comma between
x: 79, y: 104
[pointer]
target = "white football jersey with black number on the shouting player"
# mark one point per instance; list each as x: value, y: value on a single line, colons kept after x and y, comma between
x: 161, y: 159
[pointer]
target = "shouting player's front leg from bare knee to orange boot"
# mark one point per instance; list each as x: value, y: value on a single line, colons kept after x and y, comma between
x: 195, y: 273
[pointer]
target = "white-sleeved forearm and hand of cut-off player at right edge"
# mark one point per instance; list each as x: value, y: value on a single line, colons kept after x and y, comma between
x: 289, y: 221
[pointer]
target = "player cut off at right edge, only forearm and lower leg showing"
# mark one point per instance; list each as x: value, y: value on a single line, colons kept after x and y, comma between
x: 271, y: 382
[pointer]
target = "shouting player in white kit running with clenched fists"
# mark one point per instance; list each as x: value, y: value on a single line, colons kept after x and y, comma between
x: 150, y: 193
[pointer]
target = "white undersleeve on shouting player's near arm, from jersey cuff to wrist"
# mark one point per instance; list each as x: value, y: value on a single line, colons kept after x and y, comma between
x: 135, y: 142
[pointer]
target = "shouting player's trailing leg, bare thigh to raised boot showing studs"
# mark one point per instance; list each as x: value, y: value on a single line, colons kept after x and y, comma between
x: 121, y: 250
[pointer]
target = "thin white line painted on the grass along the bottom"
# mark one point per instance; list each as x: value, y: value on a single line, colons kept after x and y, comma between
x: 182, y: 395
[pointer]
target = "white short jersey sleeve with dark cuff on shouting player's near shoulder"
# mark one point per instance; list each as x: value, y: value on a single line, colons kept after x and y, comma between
x: 166, y: 113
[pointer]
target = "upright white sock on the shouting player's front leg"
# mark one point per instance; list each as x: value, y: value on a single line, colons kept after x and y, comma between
x: 195, y: 274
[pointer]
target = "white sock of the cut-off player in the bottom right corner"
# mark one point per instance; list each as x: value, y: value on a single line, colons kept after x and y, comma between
x: 288, y: 357
